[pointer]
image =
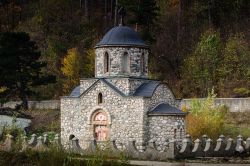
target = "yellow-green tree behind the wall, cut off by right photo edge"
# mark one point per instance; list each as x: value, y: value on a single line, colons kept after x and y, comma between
x: 235, y: 67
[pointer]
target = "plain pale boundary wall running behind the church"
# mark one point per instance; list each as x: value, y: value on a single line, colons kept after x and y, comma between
x: 234, y: 104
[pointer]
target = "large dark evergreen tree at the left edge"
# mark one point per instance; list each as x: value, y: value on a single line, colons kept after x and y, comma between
x: 20, y: 68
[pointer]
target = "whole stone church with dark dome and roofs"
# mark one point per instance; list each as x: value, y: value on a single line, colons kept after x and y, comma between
x: 121, y: 103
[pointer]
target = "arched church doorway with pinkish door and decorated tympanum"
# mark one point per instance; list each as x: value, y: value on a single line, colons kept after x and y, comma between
x: 100, y: 125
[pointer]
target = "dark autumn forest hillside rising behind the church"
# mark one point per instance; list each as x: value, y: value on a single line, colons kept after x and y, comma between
x: 196, y: 45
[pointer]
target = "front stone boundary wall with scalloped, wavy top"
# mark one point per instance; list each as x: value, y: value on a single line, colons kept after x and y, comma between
x: 173, y: 149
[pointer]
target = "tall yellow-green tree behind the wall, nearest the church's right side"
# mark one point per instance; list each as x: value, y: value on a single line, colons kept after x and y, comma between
x: 200, y: 69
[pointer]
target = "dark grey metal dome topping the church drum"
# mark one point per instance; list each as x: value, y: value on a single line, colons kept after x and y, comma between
x: 121, y: 36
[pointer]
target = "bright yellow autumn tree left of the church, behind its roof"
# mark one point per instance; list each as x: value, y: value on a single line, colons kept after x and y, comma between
x: 71, y: 68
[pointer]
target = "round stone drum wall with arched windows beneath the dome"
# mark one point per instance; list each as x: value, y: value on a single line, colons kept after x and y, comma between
x: 116, y: 54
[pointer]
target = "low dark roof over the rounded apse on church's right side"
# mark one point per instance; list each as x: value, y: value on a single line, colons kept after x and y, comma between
x: 166, y: 109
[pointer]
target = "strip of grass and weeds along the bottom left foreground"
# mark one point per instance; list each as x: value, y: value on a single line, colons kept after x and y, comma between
x: 56, y: 157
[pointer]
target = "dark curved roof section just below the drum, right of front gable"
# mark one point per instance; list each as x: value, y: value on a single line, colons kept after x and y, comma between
x: 146, y: 89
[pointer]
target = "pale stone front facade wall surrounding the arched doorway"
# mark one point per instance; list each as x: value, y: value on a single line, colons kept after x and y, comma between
x: 125, y: 116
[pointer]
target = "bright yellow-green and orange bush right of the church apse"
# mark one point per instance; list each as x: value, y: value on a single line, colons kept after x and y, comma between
x: 205, y: 117
